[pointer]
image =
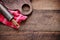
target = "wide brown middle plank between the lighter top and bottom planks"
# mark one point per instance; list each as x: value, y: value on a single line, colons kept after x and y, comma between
x: 40, y: 20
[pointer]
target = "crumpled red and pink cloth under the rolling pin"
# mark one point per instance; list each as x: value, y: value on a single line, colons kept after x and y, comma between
x: 17, y: 16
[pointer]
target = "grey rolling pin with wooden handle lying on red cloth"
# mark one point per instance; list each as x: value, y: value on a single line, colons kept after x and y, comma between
x: 8, y: 15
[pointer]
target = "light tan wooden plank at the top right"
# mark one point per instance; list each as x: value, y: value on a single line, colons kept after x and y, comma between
x: 46, y: 4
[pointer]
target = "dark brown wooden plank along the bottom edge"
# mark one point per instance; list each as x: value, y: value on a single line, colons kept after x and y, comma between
x: 30, y: 36
